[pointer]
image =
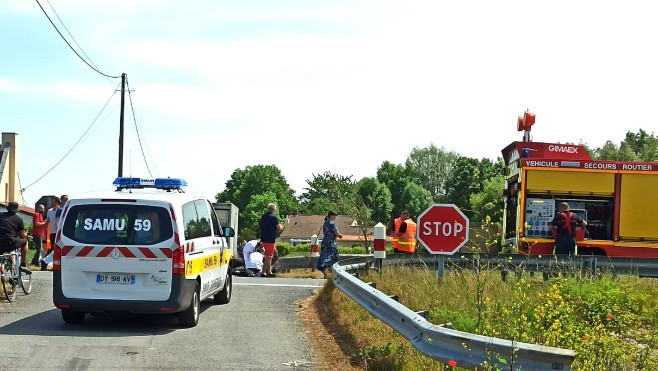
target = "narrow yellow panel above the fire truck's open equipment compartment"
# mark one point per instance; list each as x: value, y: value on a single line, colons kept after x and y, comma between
x: 570, y: 182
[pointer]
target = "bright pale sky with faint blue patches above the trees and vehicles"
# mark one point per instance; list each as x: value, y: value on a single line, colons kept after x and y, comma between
x: 313, y: 86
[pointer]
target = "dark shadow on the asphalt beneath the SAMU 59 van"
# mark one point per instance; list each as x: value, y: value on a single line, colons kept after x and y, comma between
x: 50, y: 323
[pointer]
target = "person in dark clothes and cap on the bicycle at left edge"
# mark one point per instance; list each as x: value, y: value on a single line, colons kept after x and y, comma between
x: 12, y: 234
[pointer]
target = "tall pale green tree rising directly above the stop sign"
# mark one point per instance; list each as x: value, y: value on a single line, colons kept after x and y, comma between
x: 431, y: 169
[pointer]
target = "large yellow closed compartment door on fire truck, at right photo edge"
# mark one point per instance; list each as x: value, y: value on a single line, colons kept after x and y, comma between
x: 638, y: 210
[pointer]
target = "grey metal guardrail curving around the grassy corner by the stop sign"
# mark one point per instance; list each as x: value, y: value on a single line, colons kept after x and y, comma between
x: 469, y: 350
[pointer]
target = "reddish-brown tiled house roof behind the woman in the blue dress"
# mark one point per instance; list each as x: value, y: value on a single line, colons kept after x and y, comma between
x: 305, y: 226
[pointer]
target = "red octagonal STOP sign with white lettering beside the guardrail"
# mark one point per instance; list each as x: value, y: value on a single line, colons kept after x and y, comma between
x: 442, y: 229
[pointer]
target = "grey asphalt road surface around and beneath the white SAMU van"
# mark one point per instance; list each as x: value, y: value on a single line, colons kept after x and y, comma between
x: 257, y: 330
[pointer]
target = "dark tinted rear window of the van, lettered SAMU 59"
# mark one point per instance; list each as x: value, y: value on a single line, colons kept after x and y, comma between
x: 115, y: 224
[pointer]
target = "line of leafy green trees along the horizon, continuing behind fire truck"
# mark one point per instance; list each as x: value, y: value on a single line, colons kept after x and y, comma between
x: 428, y: 175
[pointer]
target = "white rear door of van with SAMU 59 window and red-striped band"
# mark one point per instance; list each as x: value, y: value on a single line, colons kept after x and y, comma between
x: 117, y: 250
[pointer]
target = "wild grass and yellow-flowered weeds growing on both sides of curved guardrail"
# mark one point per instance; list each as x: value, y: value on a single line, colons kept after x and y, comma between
x: 610, y: 322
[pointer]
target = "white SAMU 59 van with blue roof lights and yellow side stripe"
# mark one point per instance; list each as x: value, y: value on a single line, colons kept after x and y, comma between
x: 147, y: 247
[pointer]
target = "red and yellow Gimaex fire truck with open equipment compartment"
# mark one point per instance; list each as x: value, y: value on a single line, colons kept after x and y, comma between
x: 619, y: 200
